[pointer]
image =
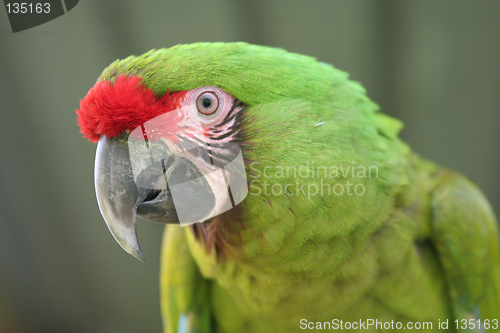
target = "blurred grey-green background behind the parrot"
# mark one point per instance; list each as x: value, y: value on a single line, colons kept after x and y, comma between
x: 434, y: 64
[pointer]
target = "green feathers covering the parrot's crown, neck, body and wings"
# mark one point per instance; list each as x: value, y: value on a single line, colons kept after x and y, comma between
x: 420, y: 244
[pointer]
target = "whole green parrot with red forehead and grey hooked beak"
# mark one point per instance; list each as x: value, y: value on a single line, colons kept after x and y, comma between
x: 338, y: 225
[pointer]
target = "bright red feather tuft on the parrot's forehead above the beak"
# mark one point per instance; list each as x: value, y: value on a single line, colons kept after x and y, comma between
x: 110, y: 109
